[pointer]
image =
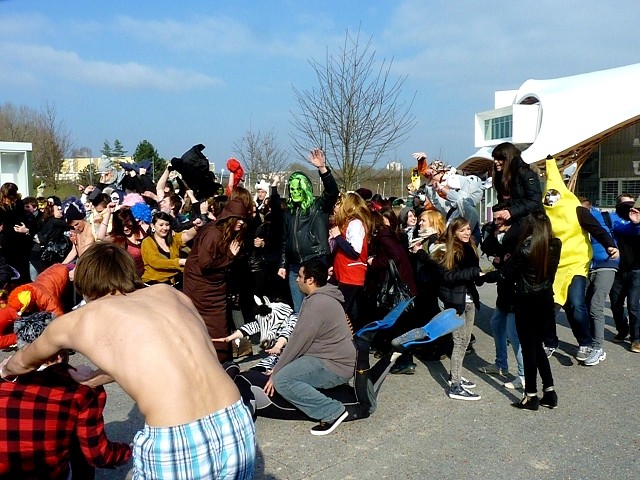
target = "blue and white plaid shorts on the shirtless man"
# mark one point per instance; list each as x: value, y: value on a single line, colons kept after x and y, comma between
x: 220, y: 445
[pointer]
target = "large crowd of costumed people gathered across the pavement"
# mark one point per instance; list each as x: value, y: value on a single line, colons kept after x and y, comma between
x: 188, y: 248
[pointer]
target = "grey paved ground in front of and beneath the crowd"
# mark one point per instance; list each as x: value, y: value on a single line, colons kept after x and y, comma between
x: 418, y: 432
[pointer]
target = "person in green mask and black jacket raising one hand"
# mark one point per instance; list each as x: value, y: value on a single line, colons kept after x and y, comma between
x: 306, y: 223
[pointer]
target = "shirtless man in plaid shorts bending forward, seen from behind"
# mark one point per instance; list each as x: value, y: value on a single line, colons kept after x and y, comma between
x: 153, y: 343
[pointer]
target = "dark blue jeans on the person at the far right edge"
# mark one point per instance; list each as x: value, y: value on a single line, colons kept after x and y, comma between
x: 626, y: 285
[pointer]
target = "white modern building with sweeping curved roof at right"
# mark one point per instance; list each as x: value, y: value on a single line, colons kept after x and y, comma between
x: 589, y: 122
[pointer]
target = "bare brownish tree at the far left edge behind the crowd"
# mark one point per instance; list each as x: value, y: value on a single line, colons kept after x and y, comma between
x: 49, y: 136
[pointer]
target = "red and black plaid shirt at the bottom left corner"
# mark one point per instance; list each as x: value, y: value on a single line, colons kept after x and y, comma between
x: 42, y: 415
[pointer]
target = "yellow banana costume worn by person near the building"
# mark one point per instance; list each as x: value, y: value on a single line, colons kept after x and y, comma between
x: 560, y: 204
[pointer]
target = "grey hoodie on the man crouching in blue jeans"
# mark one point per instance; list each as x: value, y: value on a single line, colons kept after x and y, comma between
x: 322, y: 331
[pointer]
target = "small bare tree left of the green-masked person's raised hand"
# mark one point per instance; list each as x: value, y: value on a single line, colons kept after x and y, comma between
x: 260, y: 154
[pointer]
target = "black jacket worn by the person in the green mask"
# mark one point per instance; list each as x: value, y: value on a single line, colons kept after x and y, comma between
x: 307, y: 236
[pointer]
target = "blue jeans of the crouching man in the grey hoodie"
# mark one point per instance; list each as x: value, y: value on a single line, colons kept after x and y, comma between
x: 298, y: 382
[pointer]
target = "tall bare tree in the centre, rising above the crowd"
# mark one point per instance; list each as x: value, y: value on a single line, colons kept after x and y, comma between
x: 356, y: 113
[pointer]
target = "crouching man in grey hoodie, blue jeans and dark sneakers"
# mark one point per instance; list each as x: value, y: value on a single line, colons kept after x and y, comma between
x: 320, y: 352
